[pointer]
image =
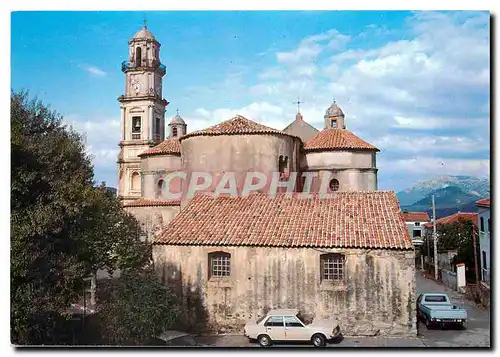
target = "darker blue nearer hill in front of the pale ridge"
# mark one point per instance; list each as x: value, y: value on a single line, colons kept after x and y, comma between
x: 449, y: 200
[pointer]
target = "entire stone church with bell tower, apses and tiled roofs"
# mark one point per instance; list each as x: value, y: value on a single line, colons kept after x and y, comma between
x: 348, y: 256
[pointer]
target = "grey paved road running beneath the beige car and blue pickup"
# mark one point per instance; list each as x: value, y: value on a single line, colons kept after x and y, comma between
x: 476, y: 334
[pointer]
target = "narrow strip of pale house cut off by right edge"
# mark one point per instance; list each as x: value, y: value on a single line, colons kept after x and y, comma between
x: 484, y: 224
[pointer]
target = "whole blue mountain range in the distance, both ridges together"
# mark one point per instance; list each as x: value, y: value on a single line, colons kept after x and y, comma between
x: 452, y: 194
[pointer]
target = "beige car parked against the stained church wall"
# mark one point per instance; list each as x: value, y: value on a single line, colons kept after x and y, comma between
x: 285, y: 325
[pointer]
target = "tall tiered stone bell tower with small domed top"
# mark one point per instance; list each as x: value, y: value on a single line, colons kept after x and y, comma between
x: 142, y: 110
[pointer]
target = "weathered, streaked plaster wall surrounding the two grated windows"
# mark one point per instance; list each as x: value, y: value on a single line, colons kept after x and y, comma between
x: 377, y: 297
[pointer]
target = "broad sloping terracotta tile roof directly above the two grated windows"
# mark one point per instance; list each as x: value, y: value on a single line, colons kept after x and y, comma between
x: 349, y: 219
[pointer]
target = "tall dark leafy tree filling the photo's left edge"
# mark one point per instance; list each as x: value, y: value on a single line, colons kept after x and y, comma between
x: 62, y: 227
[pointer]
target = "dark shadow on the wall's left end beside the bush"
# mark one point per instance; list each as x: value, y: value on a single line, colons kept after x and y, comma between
x: 194, y: 316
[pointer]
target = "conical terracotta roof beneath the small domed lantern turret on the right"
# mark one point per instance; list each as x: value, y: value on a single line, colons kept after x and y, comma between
x: 337, y: 139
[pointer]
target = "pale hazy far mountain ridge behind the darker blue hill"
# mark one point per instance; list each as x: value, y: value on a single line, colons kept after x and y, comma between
x: 475, y: 187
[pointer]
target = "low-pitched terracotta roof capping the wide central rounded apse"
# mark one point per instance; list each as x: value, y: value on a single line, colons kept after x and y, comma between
x: 235, y: 126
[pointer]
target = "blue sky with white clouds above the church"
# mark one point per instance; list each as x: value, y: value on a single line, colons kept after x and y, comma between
x: 415, y: 84
